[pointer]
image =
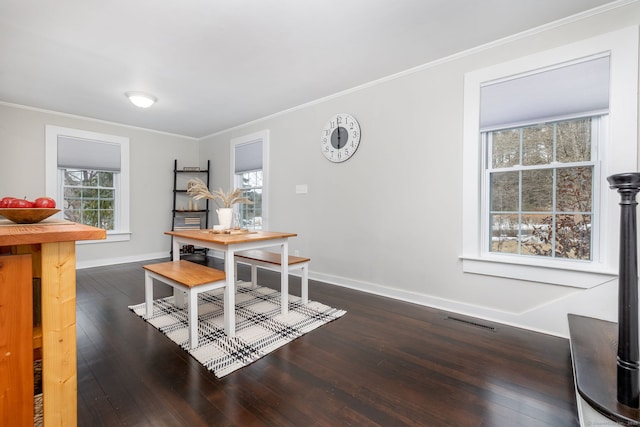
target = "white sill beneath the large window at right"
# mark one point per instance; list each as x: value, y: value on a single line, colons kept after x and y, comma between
x: 548, y: 273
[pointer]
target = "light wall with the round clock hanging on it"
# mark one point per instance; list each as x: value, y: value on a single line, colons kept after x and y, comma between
x: 389, y: 219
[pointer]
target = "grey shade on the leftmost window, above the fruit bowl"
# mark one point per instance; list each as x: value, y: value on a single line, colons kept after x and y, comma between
x: 87, y: 154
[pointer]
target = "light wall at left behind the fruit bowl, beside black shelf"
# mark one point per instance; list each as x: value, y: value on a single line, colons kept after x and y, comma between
x: 152, y: 154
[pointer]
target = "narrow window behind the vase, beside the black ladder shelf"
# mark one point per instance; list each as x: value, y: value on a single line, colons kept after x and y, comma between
x: 249, y: 166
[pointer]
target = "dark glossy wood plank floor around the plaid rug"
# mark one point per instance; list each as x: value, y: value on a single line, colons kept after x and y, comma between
x: 385, y: 363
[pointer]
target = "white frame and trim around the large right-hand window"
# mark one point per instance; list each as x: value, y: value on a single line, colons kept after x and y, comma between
x: 619, y: 154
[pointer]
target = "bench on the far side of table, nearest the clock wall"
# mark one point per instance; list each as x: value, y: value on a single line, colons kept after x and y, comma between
x: 271, y: 261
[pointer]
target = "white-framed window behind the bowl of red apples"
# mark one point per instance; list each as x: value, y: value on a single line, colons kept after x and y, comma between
x: 88, y: 176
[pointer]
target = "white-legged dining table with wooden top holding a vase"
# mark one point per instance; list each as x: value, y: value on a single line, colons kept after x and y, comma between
x: 229, y: 242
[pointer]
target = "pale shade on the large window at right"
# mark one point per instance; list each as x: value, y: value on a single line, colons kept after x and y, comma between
x: 565, y: 91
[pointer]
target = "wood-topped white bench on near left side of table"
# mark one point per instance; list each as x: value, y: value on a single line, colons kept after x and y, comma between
x: 186, y: 276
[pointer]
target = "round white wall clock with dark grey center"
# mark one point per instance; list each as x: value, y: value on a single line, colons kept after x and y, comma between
x: 340, y: 137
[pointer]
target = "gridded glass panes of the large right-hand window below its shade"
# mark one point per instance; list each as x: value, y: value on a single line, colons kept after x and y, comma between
x: 539, y: 182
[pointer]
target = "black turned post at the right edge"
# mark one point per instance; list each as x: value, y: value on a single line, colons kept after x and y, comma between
x: 628, y: 391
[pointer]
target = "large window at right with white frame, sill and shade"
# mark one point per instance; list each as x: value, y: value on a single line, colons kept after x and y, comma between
x: 536, y: 130
